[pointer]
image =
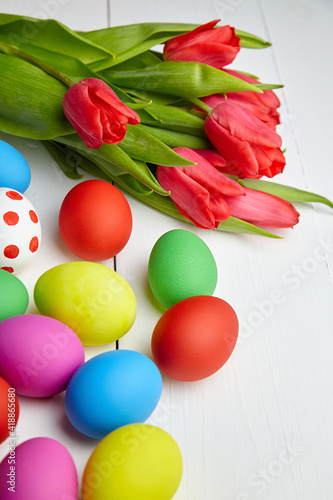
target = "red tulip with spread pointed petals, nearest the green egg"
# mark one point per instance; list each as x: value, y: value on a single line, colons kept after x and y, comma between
x: 198, y: 190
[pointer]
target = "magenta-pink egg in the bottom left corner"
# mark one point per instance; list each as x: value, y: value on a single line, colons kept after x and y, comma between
x: 38, y: 469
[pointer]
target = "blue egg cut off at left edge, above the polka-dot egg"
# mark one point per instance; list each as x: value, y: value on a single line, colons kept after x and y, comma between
x: 14, y: 169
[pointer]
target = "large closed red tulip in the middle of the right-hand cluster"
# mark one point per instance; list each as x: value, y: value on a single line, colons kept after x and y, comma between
x: 244, y: 140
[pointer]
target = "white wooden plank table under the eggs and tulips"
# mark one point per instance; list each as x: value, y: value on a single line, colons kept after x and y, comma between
x: 261, y: 428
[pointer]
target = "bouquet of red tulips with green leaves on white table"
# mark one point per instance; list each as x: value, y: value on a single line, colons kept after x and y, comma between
x: 177, y: 130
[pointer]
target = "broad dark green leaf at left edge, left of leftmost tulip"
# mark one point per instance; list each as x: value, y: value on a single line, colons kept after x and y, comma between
x: 31, y: 101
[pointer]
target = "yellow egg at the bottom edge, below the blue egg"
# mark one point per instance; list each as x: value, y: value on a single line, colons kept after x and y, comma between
x: 137, y: 461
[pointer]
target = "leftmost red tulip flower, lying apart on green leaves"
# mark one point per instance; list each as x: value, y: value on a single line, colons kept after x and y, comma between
x: 97, y: 113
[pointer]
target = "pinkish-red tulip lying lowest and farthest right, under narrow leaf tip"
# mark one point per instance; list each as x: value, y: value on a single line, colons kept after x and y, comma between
x: 263, y: 209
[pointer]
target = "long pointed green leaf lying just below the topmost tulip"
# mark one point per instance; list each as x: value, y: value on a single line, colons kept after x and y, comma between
x: 188, y: 79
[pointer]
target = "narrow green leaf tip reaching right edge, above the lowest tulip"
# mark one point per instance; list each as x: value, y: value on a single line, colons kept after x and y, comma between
x: 286, y: 192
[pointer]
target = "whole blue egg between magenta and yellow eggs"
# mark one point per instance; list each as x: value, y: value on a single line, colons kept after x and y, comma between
x: 112, y: 389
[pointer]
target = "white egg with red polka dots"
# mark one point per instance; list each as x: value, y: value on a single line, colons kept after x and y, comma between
x: 20, y: 231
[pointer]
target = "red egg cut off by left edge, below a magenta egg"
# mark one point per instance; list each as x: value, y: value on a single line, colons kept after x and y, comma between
x: 9, y: 410
